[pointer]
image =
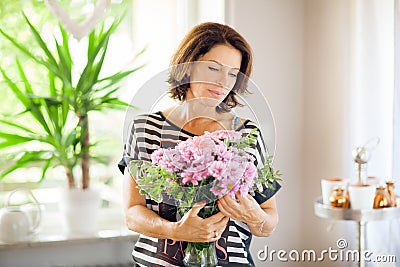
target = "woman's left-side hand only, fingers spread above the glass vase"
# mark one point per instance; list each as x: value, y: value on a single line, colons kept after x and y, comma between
x: 192, y: 228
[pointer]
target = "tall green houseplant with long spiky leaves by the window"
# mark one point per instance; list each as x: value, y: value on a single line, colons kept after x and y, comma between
x: 62, y: 114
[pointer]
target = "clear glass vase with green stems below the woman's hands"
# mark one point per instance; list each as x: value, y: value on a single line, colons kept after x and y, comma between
x: 200, y: 254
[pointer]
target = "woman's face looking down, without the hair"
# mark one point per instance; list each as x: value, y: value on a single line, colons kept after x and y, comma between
x: 214, y: 74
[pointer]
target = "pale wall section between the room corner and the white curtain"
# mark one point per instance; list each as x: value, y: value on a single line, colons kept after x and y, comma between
x: 327, y: 64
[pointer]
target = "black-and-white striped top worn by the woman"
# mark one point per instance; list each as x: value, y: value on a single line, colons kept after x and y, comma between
x: 152, y: 131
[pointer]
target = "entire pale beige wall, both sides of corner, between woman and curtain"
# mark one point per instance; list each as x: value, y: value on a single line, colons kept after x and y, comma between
x: 302, y: 64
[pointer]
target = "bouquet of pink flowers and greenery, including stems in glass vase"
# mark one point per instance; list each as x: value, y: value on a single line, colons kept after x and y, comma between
x: 202, y: 168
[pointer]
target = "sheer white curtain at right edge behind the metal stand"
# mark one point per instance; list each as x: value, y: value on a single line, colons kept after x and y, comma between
x: 376, y: 104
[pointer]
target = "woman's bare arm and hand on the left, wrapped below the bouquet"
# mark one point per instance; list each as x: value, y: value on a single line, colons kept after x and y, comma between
x: 190, y: 228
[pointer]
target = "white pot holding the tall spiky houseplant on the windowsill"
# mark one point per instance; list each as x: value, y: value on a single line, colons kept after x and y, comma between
x: 79, y: 211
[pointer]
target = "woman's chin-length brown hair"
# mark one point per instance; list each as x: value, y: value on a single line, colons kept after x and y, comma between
x: 197, y: 42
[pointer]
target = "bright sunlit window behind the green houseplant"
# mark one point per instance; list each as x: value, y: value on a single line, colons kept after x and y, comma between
x: 157, y: 25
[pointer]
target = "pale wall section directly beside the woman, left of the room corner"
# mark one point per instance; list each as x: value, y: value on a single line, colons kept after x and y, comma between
x: 275, y: 30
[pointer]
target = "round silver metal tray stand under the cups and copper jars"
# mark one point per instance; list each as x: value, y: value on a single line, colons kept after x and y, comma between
x: 361, y: 217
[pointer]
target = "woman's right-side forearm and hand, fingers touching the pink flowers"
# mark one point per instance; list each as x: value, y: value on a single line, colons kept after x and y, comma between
x: 261, y: 218
